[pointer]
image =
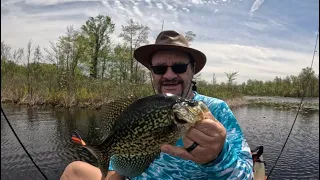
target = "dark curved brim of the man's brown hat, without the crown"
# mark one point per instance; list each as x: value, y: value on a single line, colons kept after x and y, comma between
x: 144, y: 54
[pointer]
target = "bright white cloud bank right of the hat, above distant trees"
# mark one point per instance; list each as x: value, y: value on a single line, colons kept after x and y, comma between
x: 252, y: 62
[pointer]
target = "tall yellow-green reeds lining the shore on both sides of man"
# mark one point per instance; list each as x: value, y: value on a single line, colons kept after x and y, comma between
x: 86, y: 93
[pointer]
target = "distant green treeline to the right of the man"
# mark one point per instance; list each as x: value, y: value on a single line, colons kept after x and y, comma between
x: 305, y: 83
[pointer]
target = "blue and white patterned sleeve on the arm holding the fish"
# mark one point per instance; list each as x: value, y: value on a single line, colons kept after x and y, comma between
x: 235, y: 160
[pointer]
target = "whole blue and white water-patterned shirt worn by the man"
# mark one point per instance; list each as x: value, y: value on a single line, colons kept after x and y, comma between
x: 234, y: 161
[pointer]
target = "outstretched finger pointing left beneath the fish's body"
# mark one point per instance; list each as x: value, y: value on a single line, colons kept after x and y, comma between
x: 177, y: 151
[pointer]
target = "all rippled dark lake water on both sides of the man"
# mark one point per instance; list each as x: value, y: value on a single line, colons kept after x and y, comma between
x: 45, y: 133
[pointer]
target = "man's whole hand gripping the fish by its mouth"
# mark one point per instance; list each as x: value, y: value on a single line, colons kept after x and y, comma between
x: 208, y: 133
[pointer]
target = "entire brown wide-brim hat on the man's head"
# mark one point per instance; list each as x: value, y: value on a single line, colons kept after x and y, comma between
x: 169, y: 40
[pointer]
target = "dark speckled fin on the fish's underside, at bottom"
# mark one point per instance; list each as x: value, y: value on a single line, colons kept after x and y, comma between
x: 132, y: 165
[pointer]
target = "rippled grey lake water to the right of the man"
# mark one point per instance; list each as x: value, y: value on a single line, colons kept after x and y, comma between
x: 269, y: 127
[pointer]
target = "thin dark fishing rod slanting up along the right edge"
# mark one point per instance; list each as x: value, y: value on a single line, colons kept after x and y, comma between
x: 294, y: 121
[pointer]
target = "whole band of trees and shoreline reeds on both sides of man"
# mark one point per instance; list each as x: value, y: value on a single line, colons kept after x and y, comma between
x: 86, y: 66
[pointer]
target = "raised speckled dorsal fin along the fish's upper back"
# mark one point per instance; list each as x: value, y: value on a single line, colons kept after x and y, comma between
x: 110, y: 111
